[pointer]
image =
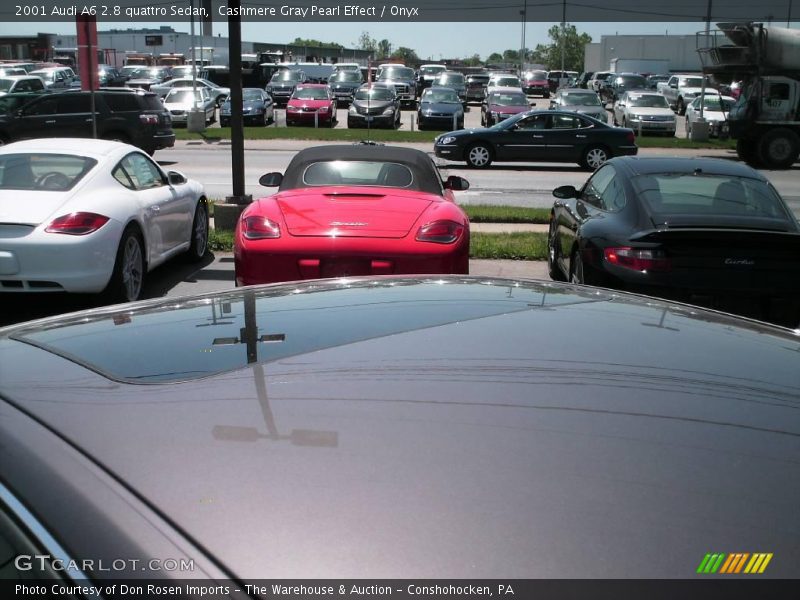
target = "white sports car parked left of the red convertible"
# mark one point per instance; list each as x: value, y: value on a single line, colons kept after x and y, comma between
x: 92, y: 216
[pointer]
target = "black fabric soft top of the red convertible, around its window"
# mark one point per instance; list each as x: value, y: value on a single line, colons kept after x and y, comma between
x: 426, y: 177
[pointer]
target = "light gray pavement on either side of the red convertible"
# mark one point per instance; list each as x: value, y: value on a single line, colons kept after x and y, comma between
x: 218, y: 275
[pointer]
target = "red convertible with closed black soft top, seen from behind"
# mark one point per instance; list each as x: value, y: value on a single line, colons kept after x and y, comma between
x: 353, y: 210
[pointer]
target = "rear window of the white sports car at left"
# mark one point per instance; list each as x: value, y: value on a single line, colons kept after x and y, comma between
x: 46, y: 172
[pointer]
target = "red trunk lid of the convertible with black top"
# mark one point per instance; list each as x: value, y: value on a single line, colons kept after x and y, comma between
x: 342, y: 211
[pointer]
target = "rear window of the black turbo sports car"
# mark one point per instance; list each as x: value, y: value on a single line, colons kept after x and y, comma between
x: 689, y: 194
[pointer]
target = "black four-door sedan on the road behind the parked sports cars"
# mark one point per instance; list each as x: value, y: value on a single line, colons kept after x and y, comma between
x: 538, y: 136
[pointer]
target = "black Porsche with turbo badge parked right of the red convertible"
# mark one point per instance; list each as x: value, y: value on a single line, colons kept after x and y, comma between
x: 703, y: 231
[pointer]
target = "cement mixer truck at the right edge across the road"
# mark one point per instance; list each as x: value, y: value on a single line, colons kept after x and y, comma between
x: 765, y: 121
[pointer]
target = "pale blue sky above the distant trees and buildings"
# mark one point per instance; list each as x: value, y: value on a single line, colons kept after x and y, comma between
x: 433, y: 40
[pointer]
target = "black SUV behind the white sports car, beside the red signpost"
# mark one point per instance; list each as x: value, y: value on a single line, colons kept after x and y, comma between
x: 132, y: 116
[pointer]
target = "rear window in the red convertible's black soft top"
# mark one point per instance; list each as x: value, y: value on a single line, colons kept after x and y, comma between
x: 370, y: 173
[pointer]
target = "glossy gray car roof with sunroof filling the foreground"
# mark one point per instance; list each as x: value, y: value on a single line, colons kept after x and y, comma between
x: 443, y: 427
